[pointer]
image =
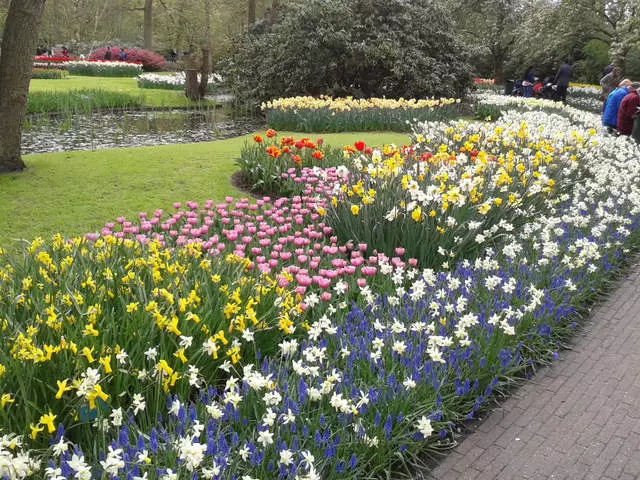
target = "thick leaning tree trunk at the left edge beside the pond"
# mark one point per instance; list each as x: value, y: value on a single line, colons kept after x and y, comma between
x: 18, y: 46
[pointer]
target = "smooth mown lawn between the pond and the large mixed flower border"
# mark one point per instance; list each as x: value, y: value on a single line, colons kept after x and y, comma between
x: 76, y: 192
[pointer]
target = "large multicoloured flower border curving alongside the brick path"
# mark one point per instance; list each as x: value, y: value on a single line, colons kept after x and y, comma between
x: 341, y: 325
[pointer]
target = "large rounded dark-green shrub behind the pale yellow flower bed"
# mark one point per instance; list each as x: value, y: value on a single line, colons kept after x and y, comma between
x: 363, y: 48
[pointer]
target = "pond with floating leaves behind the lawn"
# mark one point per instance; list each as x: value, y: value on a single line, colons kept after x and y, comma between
x: 57, y: 133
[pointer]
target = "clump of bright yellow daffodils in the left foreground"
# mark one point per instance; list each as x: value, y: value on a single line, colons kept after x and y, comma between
x: 86, y: 326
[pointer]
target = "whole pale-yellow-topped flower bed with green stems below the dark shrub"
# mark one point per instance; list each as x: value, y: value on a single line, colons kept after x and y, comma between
x: 326, y: 114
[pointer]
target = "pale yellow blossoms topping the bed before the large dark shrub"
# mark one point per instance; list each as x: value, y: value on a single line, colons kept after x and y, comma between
x: 350, y: 103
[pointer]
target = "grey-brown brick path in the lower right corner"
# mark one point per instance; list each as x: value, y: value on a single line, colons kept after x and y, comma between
x: 578, y: 419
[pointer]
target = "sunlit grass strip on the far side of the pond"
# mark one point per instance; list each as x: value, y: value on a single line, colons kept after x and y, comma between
x: 153, y: 97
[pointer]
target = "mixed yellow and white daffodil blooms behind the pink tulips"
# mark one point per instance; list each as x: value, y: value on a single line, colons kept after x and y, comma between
x: 462, y: 171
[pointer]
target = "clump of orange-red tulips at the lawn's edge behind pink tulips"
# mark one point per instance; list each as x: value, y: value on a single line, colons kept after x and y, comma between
x: 275, y: 165
